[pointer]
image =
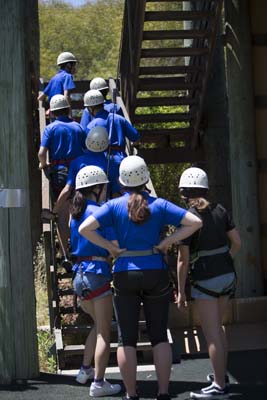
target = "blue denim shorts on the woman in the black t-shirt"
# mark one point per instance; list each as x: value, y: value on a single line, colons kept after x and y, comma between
x: 217, y: 284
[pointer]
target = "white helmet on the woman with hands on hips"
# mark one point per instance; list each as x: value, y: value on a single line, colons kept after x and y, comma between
x: 133, y: 171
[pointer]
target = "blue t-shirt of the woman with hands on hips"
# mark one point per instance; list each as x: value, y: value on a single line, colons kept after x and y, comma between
x: 134, y: 236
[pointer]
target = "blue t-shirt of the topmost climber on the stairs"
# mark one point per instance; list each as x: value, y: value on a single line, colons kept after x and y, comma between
x: 61, y: 81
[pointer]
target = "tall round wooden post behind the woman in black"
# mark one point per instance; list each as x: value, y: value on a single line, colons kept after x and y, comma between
x: 242, y: 145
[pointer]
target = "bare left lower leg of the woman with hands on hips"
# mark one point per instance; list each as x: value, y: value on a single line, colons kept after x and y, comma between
x: 127, y: 362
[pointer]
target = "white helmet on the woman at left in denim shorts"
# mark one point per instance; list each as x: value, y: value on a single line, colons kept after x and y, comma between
x: 90, y: 176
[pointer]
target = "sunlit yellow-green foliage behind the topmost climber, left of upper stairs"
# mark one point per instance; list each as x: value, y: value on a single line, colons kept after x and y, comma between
x: 91, y: 32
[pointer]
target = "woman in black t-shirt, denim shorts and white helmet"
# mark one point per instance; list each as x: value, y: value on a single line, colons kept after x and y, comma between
x: 209, y: 253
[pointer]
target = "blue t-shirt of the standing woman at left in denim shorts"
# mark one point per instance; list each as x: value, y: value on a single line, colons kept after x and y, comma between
x: 81, y: 247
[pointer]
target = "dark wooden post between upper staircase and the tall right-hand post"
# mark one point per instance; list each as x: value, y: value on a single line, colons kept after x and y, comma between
x: 216, y: 129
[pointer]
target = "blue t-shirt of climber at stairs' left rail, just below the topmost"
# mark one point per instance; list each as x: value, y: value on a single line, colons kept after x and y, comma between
x: 64, y: 138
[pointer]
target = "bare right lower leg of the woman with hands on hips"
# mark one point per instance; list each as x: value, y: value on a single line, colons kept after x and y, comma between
x: 163, y: 361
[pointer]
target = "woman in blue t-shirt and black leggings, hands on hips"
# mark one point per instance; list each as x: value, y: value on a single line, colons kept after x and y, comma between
x: 140, y: 273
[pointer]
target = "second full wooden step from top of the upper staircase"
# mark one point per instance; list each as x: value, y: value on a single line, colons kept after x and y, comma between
x: 175, y: 34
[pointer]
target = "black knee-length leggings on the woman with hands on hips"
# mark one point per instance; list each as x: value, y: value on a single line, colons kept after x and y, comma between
x: 150, y: 287
